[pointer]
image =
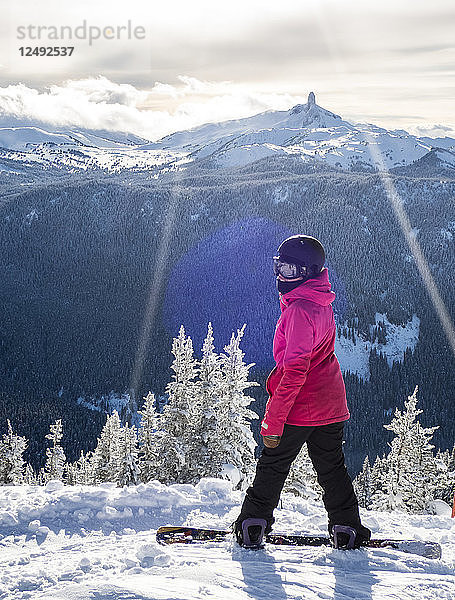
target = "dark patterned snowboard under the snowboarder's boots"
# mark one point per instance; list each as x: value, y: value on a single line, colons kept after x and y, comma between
x: 190, y: 535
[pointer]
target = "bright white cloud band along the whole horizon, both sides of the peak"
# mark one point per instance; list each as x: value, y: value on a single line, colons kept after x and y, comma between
x: 100, y: 103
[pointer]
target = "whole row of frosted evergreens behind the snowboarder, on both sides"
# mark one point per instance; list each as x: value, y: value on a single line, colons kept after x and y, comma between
x: 204, y: 430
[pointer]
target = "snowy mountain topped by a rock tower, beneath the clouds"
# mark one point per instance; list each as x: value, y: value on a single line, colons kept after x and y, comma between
x: 307, y: 131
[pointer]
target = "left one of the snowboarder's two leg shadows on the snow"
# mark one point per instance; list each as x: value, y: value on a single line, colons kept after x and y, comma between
x: 259, y: 569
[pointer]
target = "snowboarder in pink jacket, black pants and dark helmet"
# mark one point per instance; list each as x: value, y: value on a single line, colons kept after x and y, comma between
x: 307, y: 401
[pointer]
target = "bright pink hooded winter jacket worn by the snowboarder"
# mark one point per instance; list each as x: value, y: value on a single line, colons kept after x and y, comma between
x: 306, y: 386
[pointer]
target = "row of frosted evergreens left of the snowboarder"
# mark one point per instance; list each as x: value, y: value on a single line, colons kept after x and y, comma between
x: 204, y: 430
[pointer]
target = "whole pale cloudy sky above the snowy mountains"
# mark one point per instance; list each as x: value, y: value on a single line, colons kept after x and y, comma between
x: 187, y: 62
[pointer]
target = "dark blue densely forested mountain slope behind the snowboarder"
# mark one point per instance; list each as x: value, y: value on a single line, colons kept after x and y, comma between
x: 79, y: 264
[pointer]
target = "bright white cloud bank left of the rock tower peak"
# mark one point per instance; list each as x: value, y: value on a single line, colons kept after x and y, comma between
x: 99, y: 103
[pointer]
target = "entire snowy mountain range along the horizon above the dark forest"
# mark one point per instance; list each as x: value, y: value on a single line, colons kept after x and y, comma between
x: 307, y: 132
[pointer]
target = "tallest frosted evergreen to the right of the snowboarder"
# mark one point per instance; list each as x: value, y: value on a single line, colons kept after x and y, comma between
x: 411, y: 469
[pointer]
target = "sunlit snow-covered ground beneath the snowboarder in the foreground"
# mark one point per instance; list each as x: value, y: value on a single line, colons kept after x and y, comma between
x: 87, y: 543
